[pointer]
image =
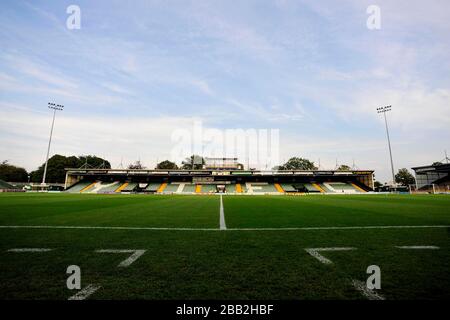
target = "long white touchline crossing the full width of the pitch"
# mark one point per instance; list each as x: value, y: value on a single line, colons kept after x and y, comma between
x: 228, y: 229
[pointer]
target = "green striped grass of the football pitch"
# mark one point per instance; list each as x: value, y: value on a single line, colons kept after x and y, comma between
x: 237, y: 264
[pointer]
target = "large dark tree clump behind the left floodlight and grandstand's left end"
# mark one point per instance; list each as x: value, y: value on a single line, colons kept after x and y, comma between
x: 57, y: 164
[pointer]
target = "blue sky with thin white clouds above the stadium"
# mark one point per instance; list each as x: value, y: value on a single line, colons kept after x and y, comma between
x: 135, y: 73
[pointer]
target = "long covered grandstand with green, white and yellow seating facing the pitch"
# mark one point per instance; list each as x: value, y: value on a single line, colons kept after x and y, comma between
x: 116, y: 181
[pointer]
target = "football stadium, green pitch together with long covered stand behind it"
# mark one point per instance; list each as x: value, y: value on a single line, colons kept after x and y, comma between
x: 224, y: 233
